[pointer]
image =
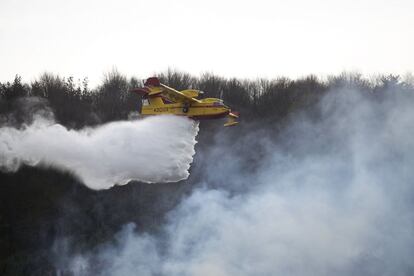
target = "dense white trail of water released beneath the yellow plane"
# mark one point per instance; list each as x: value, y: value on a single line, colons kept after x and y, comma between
x: 155, y: 149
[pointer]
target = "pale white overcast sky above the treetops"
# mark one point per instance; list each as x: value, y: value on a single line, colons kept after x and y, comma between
x: 244, y: 39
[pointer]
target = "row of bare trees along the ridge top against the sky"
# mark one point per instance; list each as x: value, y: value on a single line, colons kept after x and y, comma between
x: 75, y: 104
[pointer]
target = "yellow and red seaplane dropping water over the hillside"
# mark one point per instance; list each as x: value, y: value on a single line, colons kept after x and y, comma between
x: 159, y: 99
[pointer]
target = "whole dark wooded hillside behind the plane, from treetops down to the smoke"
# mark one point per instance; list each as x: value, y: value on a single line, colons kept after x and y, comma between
x: 40, y: 205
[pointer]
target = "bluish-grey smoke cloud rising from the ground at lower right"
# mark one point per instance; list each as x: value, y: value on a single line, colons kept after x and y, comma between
x: 330, y: 197
